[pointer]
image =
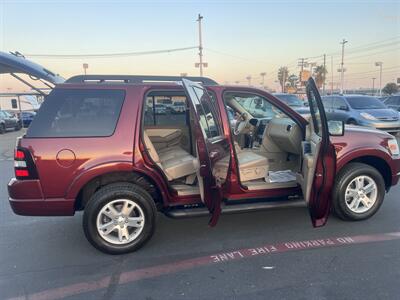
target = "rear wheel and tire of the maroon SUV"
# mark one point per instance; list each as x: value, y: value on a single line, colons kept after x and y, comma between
x: 119, y: 218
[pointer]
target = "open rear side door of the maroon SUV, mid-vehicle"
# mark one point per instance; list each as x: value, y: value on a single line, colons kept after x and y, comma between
x: 209, y: 191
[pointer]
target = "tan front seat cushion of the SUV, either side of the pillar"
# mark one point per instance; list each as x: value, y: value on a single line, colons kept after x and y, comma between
x: 251, y: 166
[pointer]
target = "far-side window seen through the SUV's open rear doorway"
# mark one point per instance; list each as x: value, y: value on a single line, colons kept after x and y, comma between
x: 165, y: 110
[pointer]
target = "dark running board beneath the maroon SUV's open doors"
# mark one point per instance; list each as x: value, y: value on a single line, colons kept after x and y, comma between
x: 178, y: 213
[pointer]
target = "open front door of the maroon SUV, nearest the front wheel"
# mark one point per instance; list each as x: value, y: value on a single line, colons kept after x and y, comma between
x: 320, y: 175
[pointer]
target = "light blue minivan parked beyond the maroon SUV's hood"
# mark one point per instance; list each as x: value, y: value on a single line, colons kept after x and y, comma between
x: 361, y: 110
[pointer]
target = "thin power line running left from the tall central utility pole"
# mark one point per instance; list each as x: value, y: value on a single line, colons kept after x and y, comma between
x: 108, y: 55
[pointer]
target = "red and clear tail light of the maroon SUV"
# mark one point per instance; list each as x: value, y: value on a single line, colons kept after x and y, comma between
x: 24, y: 165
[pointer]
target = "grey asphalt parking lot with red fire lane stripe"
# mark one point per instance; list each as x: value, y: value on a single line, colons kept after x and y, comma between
x: 271, y: 254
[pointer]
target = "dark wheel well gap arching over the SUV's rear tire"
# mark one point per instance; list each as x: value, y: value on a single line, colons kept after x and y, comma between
x: 96, y: 183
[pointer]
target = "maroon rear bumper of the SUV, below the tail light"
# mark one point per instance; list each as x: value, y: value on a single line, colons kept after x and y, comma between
x: 26, y: 199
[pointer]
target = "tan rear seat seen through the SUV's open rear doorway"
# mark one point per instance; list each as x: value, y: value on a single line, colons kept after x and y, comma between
x: 174, y: 167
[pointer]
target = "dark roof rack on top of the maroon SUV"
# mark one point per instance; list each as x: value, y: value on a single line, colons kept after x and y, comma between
x: 136, y: 79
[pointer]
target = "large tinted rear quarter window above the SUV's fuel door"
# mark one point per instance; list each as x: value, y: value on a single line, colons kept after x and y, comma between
x: 78, y: 113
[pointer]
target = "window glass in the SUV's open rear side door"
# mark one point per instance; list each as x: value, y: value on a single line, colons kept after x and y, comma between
x: 208, y: 118
